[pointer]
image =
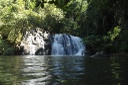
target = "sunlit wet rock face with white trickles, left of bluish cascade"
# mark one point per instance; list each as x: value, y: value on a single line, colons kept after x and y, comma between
x: 36, y: 42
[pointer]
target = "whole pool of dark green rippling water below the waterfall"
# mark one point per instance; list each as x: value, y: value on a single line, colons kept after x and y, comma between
x: 63, y: 70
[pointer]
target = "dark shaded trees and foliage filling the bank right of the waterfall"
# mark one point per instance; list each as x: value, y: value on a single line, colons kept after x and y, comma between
x: 106, y: 19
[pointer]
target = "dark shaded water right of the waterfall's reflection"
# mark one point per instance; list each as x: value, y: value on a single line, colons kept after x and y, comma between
x: 107, y: 71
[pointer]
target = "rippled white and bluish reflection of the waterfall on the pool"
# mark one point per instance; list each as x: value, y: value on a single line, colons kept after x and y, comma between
x: 44, y: 70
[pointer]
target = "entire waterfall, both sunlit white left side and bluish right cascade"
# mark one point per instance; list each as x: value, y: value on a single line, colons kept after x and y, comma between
x: 40, y: 42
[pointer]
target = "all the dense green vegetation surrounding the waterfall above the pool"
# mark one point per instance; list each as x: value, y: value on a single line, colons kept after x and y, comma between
x: 101, y: 23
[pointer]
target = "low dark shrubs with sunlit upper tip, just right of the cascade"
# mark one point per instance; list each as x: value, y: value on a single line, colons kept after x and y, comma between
x: 104, y: 43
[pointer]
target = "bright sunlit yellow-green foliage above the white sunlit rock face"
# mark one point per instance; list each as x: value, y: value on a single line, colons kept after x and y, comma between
x: 19, y: 17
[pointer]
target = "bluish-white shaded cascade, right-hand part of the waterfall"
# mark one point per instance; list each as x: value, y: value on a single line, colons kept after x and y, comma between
x: 64, y: 44
